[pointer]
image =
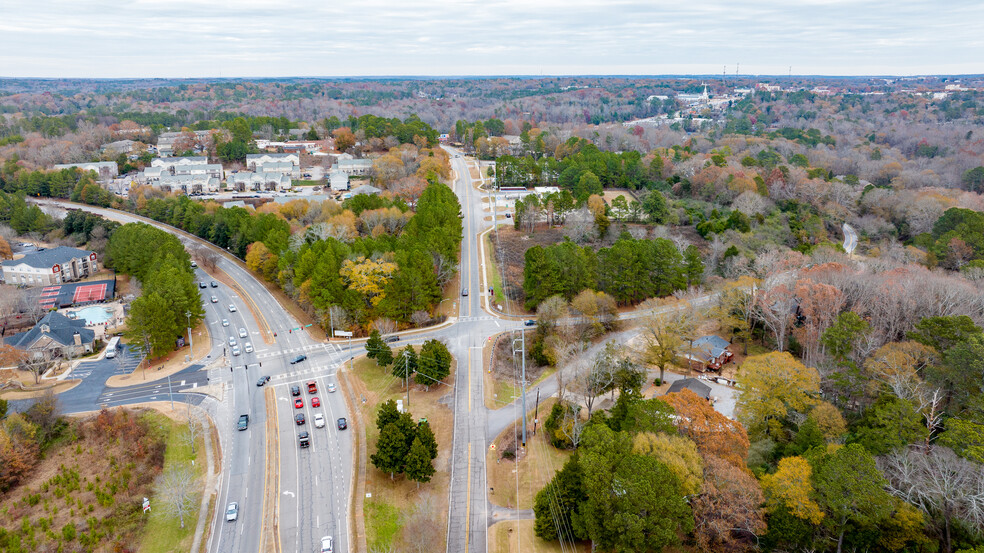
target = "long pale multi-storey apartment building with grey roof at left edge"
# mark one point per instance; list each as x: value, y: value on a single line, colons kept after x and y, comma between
x: 51, y: 266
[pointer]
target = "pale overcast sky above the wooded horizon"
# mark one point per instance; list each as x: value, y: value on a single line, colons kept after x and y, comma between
x: 251, y: 38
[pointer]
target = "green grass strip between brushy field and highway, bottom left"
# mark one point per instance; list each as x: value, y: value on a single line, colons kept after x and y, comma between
x: 163, y: 534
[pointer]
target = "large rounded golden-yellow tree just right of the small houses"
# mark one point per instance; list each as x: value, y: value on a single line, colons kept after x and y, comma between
x: 771, y: 387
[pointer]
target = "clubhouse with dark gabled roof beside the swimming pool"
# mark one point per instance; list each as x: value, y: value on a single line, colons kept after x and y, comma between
x: 55, y: 336
